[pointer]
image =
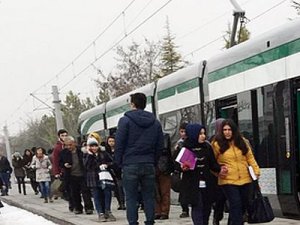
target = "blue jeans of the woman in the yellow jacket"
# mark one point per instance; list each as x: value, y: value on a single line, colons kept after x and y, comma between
x: 238, y: 197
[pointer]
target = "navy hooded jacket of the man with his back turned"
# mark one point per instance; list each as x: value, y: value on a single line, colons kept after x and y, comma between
x: 139, y: 138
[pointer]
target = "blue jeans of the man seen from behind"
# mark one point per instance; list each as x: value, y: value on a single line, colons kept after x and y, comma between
x: 141, y: 176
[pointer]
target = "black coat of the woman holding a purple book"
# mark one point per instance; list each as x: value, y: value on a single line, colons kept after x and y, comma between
x: 206, y: 162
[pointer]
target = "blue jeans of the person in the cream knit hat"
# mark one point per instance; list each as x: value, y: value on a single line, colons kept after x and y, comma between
x: 102, y: 199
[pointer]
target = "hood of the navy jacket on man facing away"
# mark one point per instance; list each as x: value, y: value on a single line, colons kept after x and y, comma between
x: 141, y: 118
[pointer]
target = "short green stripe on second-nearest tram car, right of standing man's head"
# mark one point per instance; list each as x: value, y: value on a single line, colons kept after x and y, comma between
x: 180, y: 88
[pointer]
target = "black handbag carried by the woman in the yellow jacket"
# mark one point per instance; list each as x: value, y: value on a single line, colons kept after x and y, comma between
x: 260, y: 210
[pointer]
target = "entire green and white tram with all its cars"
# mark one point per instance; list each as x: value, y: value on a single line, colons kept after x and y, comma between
x: 257, y: 84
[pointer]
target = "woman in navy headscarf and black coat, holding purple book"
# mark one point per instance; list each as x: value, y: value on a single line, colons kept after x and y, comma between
x: 197, y: 184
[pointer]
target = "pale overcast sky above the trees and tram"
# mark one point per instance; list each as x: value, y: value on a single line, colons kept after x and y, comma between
x: 54, y: 42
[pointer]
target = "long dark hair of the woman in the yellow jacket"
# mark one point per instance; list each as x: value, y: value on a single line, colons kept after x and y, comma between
x: 236, y: 137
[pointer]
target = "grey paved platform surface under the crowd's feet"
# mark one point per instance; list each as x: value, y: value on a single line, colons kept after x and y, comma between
x: 58, y: 212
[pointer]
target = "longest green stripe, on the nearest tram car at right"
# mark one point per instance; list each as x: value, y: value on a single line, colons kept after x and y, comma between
x: 256, y: 60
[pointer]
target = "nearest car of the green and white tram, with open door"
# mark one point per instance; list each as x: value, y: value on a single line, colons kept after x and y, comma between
x: 257, y: 84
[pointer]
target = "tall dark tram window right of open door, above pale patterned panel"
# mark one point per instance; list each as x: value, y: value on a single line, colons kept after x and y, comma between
x: 273, y: 109
